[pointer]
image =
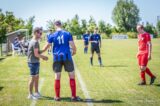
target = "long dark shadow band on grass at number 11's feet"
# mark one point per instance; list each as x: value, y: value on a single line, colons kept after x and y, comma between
x: 67, y: 99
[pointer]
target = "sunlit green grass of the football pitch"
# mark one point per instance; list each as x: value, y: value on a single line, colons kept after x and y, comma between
x: 114, y: 84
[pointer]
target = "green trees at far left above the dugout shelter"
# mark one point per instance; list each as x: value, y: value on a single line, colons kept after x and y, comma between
x: 9, y: 23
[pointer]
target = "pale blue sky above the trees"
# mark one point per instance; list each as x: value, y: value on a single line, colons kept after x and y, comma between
x: 45, y: 10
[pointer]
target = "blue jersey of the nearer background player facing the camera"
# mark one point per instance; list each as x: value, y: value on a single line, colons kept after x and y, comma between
x: 95, y: 37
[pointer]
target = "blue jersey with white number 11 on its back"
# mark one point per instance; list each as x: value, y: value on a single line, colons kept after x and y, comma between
x: 61, y: 48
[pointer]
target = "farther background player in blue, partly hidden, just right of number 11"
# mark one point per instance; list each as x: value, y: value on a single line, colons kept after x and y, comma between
x: 86, y: 41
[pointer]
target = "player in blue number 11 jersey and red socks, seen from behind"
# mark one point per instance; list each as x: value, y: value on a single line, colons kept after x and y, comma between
x: 62, y: 40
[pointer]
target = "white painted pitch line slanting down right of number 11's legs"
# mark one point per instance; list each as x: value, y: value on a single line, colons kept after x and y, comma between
x: 83, y: 86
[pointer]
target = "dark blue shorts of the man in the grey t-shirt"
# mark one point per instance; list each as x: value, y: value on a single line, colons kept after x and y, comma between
x: 34, y: 68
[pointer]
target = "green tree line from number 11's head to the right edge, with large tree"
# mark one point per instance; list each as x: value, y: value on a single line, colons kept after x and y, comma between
x: 125, y: 15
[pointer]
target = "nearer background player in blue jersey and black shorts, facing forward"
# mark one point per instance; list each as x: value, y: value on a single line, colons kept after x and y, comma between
x: 95, y: 40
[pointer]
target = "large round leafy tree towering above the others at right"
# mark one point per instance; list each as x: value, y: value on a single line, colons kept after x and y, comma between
x: 126, y: 15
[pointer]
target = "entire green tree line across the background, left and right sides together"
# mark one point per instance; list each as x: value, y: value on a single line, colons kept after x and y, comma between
x: 125, y: 15
